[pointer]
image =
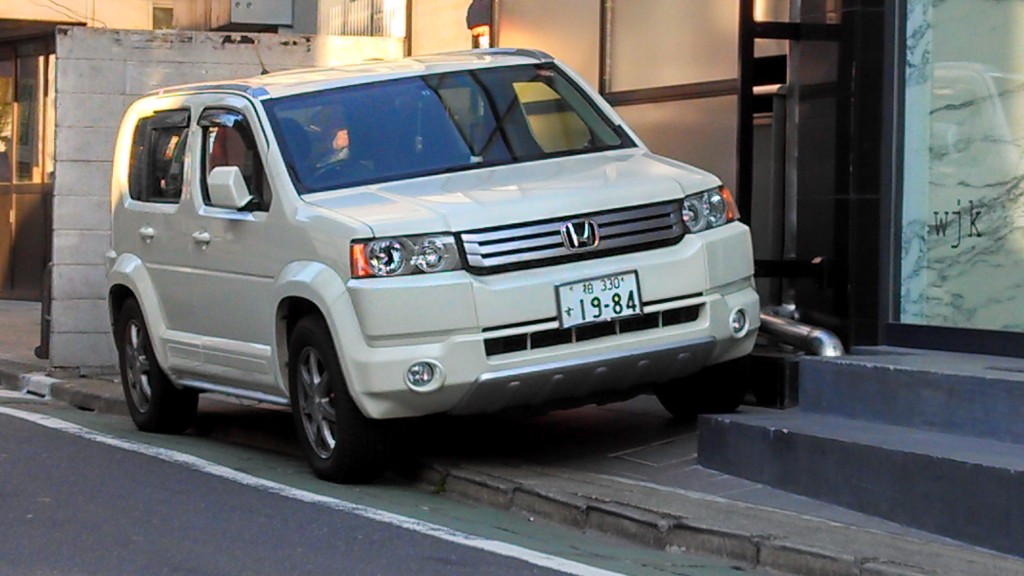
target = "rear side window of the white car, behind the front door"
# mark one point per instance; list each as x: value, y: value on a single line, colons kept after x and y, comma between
x: 157, y: 163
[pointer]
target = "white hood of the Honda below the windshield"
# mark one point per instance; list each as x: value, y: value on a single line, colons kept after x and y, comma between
x: 521, y: 193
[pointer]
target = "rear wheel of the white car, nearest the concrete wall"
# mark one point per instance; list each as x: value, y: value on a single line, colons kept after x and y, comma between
x: 155, y: 404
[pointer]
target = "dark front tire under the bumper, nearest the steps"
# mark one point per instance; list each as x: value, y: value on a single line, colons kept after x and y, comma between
x: 718, y: 389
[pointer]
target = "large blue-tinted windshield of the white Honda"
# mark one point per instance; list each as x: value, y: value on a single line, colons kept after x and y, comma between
x: 434, y: 125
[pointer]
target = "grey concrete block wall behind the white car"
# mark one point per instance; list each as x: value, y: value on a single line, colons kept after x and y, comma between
x: 100, y: 73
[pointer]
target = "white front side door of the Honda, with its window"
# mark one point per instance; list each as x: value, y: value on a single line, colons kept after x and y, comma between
x: 232, y: 254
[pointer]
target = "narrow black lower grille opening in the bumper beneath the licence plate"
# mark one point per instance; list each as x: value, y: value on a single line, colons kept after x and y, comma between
x: 559, y: 337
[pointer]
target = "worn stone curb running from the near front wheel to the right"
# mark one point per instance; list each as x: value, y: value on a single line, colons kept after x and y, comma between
x: 764, y: 546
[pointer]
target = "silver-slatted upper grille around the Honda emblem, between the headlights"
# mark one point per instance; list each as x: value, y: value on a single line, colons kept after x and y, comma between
x: 540, y: 243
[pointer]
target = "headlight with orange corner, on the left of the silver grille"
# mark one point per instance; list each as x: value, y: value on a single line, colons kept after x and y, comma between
x: 400, y: 257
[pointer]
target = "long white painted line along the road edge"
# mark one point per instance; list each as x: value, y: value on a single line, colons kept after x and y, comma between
x: 479, y: 543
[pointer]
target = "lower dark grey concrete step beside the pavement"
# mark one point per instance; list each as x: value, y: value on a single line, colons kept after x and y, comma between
x: 964, y: 488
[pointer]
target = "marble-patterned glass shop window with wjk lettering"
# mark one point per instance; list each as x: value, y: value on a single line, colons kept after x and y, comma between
x: 963, y: 226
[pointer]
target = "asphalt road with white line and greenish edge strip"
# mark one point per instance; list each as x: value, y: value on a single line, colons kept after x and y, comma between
x: 84, y: 493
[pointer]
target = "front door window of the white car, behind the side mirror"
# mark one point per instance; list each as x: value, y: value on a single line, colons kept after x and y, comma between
x: 228, y: 141
